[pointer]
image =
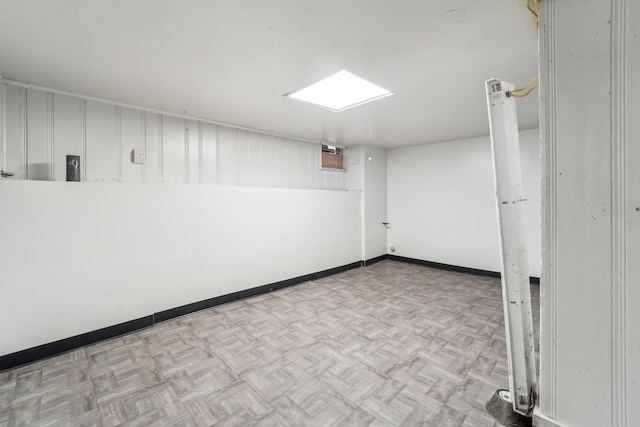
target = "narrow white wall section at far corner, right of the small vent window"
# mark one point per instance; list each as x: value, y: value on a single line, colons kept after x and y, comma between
x: 375, y: 201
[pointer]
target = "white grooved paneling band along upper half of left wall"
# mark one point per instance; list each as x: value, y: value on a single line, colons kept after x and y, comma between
x: 43, y: 127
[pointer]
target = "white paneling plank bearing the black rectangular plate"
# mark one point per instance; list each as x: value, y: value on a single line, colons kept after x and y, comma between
x: 68, y: 134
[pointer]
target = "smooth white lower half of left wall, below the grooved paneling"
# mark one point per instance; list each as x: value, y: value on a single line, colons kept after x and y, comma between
x: 77, y: 257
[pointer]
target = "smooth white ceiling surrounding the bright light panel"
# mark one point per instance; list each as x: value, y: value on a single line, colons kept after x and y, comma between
x: 232, y: 61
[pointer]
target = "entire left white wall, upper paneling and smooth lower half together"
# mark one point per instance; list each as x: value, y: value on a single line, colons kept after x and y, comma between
x: 127, y: 241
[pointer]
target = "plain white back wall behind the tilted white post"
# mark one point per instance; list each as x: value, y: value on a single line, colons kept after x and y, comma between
x: 441, y: 202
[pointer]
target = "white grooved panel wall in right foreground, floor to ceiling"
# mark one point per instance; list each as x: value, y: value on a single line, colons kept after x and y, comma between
x: 590, y: 350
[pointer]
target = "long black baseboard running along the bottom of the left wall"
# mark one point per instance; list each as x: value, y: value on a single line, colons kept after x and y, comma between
x: 45, y: 351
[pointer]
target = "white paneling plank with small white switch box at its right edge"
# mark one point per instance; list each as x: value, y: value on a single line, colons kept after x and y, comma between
x: 132, y: 129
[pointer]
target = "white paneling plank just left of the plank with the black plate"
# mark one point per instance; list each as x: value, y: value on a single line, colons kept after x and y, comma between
x: 38, y: 141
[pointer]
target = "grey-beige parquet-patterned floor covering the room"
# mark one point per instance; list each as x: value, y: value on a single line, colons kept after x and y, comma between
x: 386, y: 345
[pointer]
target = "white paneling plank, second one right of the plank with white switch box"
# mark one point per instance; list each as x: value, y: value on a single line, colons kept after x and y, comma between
x: 173, y: 150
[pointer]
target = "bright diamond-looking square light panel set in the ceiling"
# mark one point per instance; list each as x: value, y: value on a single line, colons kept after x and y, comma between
x: 340, y: 92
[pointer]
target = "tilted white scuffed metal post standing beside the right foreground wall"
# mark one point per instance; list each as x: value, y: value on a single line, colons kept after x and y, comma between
x: 516, y: 293
